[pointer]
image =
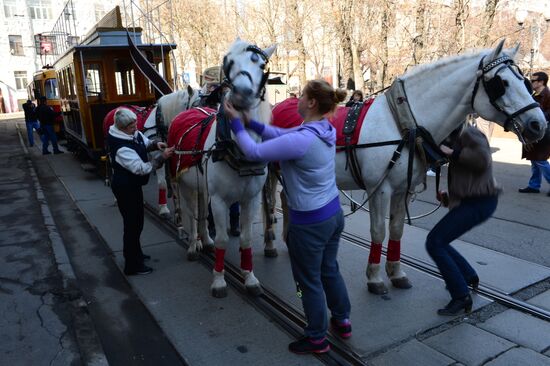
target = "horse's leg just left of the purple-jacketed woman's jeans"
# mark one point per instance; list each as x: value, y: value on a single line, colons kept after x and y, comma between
x: 268, y: 212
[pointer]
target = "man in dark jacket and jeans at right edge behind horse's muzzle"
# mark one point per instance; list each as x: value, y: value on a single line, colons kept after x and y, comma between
x: 539, y: 152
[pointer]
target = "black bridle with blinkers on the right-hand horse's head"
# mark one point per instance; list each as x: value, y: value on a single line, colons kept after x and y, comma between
x: 495, y: 88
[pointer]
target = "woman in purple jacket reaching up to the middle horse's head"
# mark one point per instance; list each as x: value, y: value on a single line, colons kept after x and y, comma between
x: 306, y: 155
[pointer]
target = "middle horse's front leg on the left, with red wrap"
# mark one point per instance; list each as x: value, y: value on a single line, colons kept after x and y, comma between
x: 219, y: 213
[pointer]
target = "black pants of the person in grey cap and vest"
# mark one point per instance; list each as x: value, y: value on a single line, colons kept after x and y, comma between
x: 130, y: 205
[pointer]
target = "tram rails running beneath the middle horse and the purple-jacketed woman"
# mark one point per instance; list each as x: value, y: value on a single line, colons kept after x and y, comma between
x: 271, y: 305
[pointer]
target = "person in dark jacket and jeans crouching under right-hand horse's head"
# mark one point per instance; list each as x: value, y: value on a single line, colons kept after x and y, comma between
x: 472, y: 198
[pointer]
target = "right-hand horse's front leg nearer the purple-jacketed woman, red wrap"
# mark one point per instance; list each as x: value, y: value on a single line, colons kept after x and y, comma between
x: 378, y: 206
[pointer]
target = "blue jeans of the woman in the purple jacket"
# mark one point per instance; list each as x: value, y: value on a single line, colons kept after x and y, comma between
x: 313, y: 249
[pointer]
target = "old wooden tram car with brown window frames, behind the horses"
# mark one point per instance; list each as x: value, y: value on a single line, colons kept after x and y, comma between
x: 99, y: 75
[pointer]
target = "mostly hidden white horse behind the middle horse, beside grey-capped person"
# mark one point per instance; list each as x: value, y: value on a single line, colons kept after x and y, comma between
x: 157, y: 125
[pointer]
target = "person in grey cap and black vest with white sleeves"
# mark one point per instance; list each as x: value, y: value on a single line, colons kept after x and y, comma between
x: 128, y: 152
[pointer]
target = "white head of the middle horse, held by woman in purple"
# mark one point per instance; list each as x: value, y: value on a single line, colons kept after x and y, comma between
x: 245, y: 68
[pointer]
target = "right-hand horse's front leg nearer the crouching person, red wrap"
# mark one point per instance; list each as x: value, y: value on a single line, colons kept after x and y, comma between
x: 393, y: 260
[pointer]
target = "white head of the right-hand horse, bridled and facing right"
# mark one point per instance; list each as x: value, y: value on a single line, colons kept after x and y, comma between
x: 502, y: 94
